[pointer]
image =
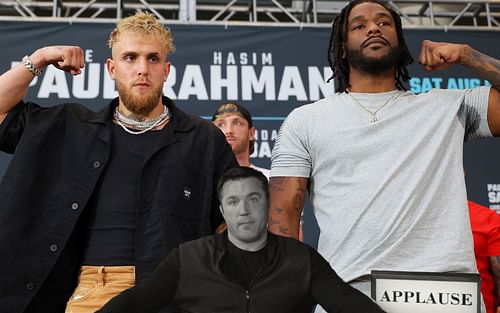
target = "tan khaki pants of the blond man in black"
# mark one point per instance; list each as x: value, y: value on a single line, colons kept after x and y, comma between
x: 97, y: 285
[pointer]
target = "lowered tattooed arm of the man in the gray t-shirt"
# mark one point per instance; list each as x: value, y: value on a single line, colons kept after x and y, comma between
x: 287, y: 200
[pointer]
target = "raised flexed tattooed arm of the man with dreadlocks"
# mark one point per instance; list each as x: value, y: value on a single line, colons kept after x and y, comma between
x: 442, y: 55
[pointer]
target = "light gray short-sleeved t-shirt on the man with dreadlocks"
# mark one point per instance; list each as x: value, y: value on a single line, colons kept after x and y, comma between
x: 388, y: 195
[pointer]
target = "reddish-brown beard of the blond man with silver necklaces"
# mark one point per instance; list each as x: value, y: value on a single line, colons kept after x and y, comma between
x: 141, y: 104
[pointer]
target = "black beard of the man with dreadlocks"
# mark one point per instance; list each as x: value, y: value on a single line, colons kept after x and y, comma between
x: 373, y: 65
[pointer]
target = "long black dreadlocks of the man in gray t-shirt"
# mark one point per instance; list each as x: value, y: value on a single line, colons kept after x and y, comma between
x: 338, y: 41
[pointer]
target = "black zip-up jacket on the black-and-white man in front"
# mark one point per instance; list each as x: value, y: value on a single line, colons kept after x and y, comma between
x: 292, y: 278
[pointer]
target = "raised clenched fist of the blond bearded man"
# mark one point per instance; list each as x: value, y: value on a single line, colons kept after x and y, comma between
x: 66, y: 58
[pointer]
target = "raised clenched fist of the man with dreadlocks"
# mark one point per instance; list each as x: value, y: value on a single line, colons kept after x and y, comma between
x: 441, y: 55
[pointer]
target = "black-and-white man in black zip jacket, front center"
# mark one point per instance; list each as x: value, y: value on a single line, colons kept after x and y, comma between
x: 245, y: 269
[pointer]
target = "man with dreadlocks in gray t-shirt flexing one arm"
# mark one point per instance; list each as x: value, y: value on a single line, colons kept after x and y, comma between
x: 383, y: 166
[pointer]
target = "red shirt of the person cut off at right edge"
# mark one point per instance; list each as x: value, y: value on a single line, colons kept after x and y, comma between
x: 485, y: 225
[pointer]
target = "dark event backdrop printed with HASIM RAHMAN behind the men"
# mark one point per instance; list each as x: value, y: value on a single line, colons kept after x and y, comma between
x: 270, y: 70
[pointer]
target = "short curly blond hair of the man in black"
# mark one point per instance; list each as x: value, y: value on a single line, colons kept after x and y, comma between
x: 142, y: 23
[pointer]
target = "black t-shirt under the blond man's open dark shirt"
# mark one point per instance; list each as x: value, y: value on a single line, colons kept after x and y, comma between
x: 109, y: 238
